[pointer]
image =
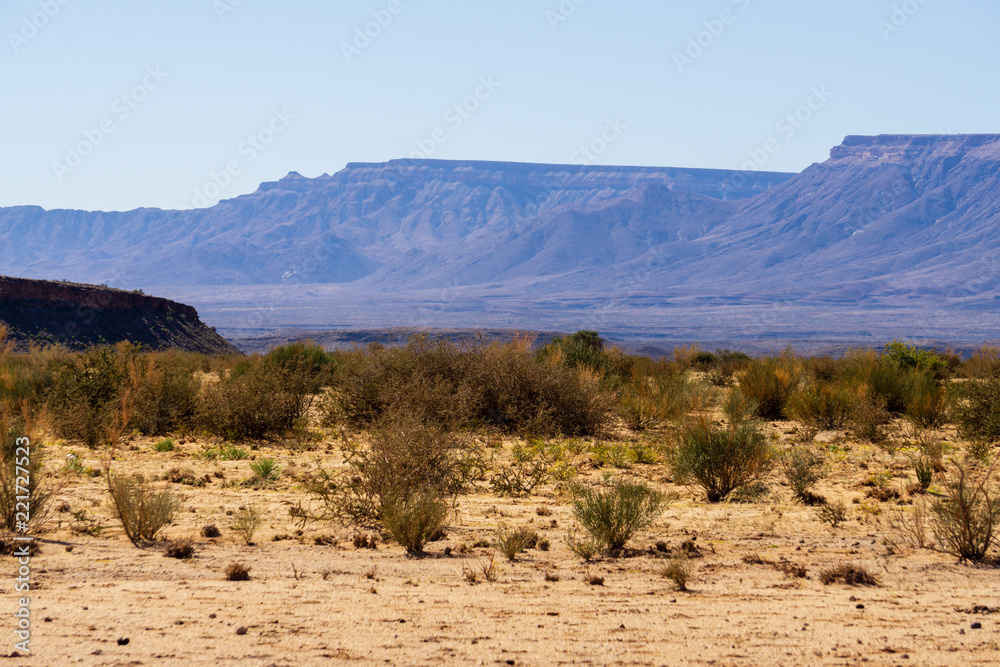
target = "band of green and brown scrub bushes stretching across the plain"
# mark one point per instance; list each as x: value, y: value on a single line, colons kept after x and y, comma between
x: 424, y: 423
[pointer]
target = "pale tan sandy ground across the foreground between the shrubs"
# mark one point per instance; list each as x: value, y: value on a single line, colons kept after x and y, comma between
x: 312, y: 604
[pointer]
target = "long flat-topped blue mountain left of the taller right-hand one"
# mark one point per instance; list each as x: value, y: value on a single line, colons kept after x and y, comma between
x: 380, y: 222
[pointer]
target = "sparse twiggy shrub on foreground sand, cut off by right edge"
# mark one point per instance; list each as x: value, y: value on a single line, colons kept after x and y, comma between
x: 965, y: 521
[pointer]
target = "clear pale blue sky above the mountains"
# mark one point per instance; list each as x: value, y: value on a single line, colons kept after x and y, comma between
x: 627, y: 78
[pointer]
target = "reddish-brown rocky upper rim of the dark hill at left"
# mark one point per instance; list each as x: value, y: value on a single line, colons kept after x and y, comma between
x: 90, y: 296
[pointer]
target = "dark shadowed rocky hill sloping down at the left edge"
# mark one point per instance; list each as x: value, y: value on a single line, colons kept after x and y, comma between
x: 77, y: 316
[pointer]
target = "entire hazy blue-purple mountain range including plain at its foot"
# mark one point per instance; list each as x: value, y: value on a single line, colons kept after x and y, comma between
x: 893, y: 233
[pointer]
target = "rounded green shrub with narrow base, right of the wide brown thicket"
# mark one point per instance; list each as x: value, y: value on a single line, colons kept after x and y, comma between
x: 720, y: 460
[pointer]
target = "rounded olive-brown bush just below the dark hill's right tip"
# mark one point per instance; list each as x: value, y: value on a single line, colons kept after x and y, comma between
x: 250, y: 401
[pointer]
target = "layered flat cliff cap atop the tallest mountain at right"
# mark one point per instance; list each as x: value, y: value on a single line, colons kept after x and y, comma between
x: 907, y: 147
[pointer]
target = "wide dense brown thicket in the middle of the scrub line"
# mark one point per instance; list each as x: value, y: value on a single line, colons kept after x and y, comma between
x: 503, y: 386
